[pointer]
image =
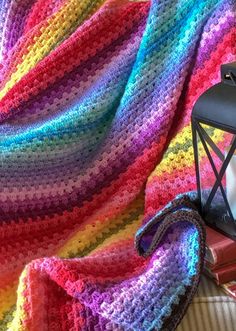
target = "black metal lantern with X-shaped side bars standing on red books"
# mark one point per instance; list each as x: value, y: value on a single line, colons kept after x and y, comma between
x: 214, y: 142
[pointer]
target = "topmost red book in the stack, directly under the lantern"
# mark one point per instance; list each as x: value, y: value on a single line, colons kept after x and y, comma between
x: 220, y: 250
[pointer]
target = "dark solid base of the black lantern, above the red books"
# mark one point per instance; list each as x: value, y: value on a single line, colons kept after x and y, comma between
x: 218, y: 219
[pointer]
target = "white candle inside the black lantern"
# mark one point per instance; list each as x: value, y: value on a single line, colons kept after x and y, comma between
x: 231, y: 184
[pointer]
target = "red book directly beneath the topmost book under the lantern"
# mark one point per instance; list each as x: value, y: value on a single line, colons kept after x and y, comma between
x: 223, y: 274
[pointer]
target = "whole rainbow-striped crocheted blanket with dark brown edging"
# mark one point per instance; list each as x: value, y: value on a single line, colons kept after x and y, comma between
x: 95, y: 139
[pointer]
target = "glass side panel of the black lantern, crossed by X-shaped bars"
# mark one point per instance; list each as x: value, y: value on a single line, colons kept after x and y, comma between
x: 217, y: 188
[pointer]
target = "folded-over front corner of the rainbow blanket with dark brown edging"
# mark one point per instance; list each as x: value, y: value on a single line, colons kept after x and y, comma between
x: 121, y: 290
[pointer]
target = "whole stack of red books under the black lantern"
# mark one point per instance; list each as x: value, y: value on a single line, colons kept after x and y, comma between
x: 220, y: 260
